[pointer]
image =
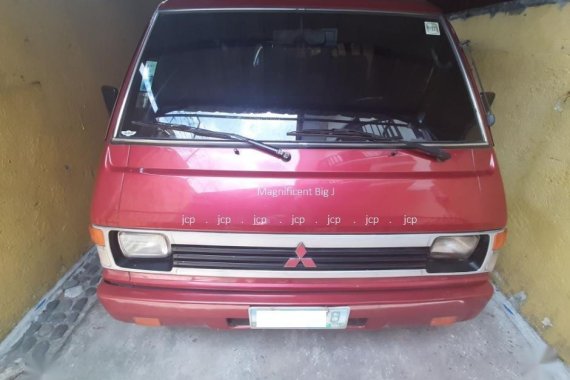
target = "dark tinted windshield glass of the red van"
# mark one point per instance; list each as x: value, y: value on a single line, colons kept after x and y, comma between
x: 264, y: 75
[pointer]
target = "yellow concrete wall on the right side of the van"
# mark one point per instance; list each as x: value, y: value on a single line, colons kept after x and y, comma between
x: 525, y: 59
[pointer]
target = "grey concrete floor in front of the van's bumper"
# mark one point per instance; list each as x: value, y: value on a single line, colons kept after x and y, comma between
x: 489, y: 347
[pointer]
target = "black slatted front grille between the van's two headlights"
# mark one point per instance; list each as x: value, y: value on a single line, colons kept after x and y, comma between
x: 328, y: 259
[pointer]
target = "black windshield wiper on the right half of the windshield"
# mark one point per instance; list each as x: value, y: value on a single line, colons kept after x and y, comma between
x: 431, y: 151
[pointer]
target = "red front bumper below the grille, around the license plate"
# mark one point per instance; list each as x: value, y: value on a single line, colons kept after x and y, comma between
x: 223, y: 303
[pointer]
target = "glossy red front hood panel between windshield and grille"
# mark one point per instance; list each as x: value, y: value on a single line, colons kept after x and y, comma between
x: 318, y: 191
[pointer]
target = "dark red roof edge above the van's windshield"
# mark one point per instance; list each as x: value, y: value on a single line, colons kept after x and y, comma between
x: 400, y: 6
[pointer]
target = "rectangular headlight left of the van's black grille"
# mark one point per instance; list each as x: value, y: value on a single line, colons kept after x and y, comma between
x: 141, y: 245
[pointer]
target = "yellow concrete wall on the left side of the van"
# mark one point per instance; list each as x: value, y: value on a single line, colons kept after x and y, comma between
x: 54, y: 56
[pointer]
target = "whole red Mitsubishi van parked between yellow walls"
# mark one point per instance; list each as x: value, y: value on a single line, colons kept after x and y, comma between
x: 298, y: 164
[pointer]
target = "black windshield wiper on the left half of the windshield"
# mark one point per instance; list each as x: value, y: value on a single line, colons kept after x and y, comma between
x: 275, y: 152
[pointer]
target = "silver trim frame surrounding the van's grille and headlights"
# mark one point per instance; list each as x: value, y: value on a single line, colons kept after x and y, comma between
x: 292, y: 240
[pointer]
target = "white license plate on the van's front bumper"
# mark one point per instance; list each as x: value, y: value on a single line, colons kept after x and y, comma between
x: 298, y: 317
